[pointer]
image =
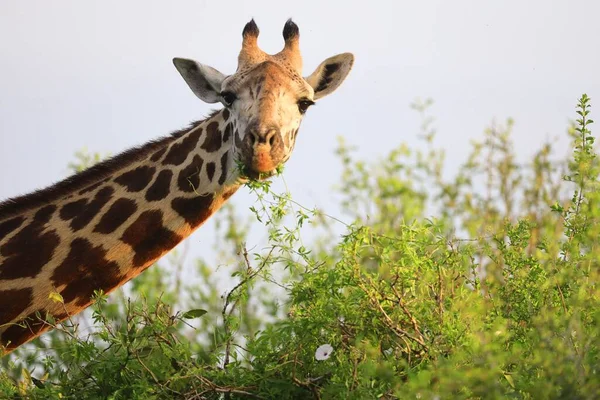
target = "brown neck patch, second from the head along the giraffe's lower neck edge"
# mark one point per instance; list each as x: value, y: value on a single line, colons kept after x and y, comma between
x: 149, y: 238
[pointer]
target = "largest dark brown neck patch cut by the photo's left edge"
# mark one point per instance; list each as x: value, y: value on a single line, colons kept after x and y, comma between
x: 28, y: 251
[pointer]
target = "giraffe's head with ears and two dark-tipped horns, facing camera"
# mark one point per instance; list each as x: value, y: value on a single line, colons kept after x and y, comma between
x: 267, y: 97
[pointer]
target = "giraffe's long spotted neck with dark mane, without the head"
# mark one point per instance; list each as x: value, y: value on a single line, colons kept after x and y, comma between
x: 104, y: 226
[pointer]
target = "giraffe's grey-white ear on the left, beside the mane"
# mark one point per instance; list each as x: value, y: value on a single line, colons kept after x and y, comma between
x: 204, y: 81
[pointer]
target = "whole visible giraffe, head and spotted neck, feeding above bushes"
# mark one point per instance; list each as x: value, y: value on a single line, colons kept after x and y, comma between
x: 100, y: 228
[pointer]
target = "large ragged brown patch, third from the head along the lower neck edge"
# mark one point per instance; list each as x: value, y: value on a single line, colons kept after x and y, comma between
x: 84, y: 270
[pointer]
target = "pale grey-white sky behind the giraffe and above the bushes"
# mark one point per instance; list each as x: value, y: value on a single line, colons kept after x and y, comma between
x: 99, y: 75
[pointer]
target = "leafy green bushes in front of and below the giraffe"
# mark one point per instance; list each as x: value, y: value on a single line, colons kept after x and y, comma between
x: 483, y: 285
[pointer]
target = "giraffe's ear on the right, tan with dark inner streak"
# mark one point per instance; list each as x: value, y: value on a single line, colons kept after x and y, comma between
x: 330, y: 74
